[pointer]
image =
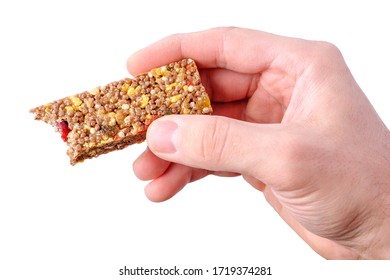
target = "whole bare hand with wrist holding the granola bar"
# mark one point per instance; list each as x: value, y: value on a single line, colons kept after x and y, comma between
x: 290, y: 118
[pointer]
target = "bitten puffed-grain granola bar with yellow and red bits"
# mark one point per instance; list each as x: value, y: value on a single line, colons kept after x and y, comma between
x: 117, y: 115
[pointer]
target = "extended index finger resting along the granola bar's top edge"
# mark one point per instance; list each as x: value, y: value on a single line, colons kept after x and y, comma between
x: 240, y: 50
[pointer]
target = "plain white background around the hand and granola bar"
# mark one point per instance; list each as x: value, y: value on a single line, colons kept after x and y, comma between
x: 90, y: 220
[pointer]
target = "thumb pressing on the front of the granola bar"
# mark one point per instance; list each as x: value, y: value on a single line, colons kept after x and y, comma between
x: 211, y: 142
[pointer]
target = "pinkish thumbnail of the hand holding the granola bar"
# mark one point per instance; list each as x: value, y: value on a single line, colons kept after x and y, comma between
x: 161, y: 137
